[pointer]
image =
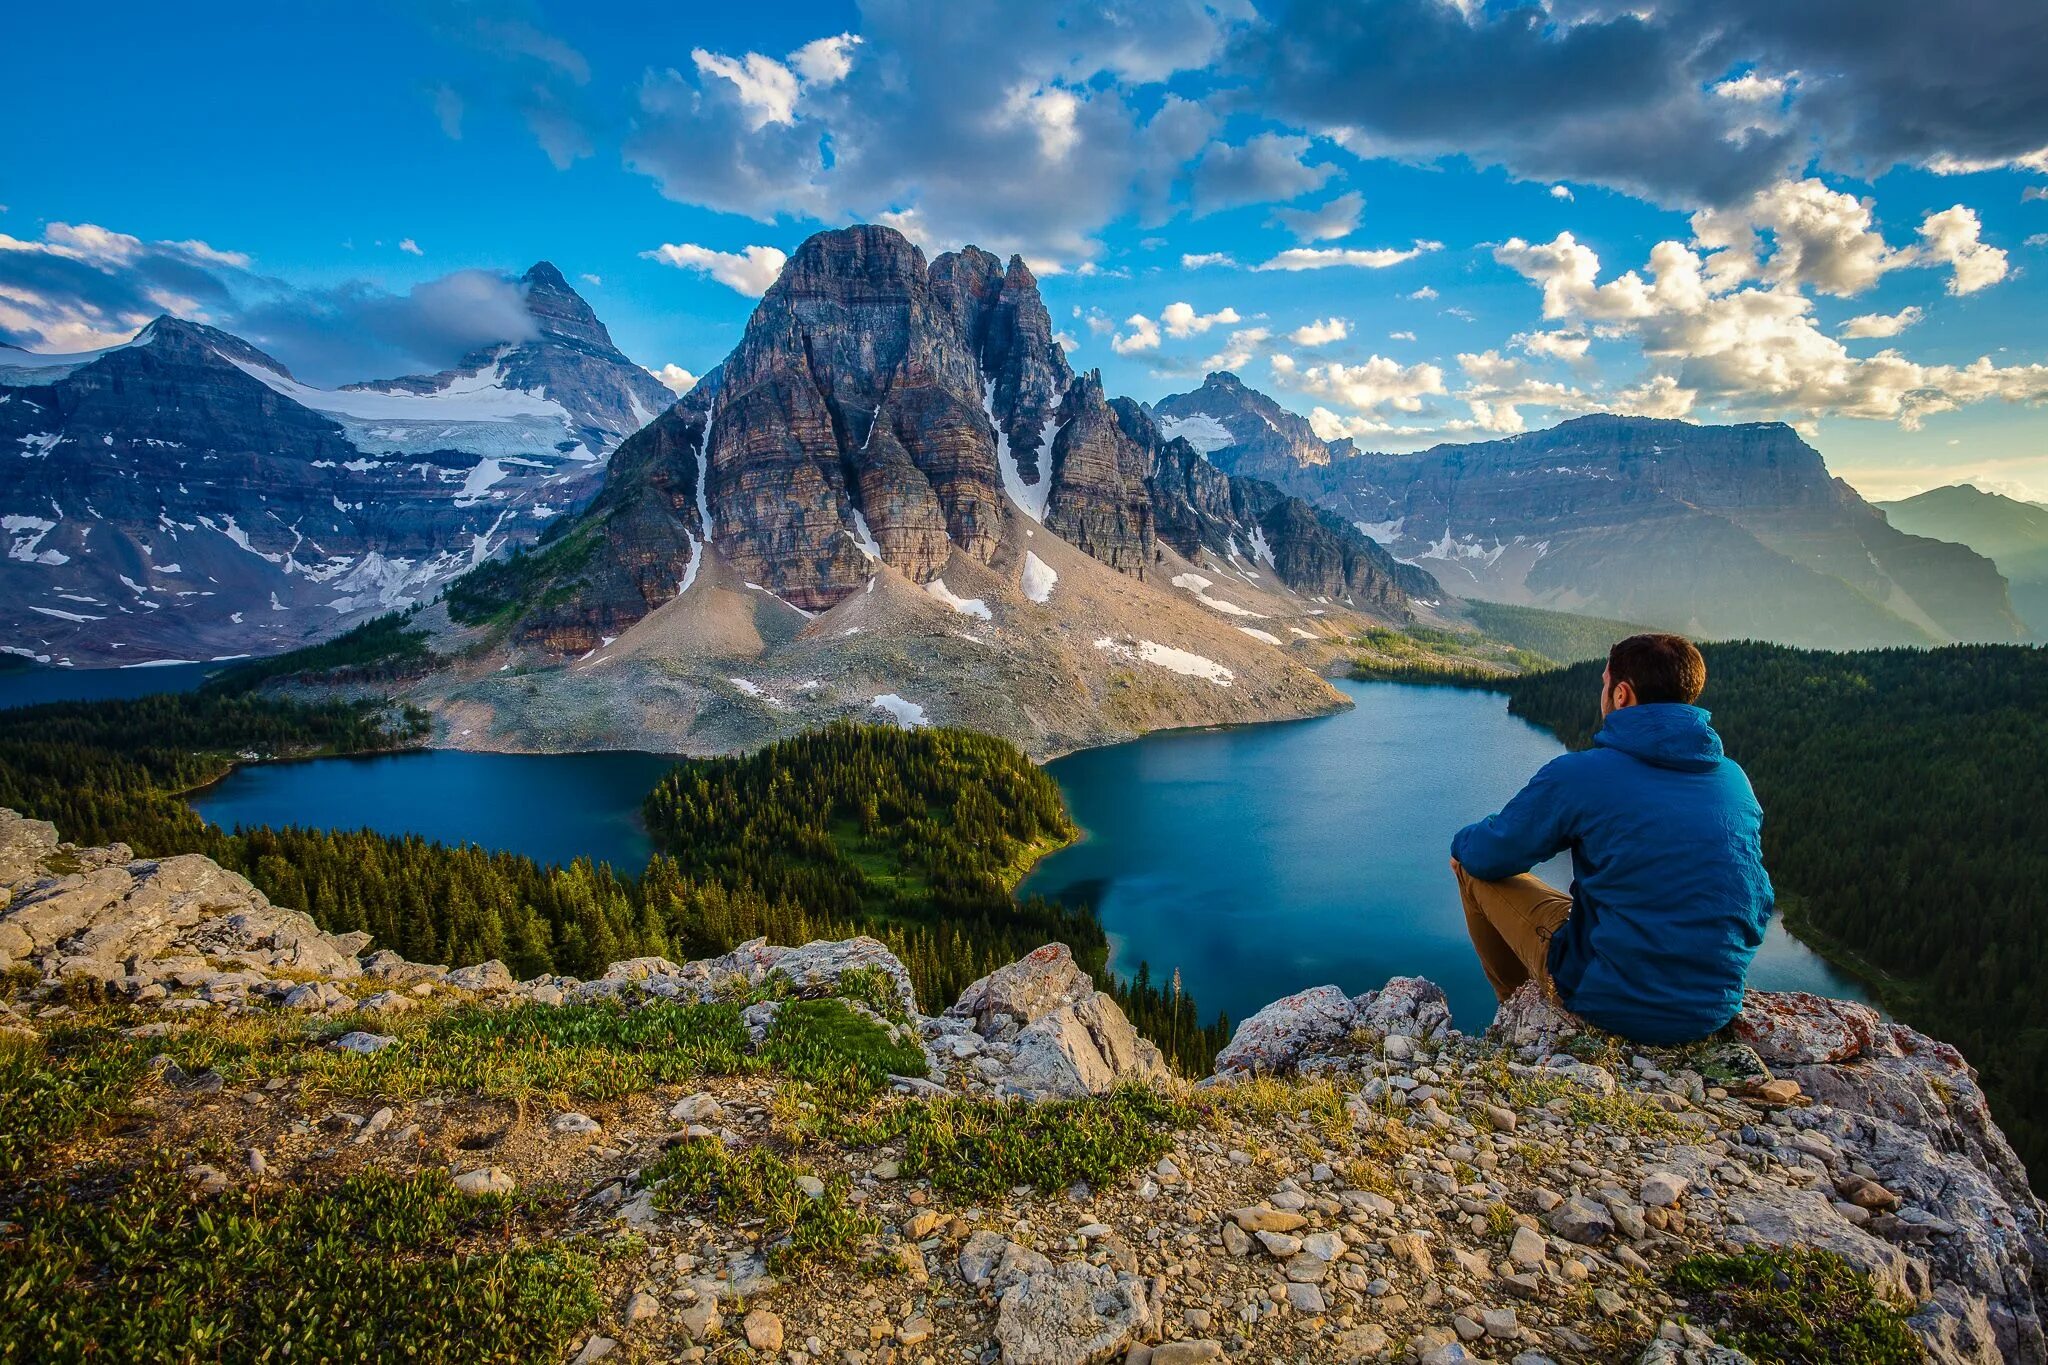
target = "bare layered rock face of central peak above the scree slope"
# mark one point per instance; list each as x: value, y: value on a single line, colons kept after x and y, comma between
x: 882, y: 412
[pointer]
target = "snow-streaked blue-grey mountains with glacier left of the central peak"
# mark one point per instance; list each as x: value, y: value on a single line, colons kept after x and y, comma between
x: 183, y: 496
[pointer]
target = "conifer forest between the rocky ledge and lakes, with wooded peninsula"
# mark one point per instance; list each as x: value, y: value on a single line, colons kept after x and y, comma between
x: 914, y: 838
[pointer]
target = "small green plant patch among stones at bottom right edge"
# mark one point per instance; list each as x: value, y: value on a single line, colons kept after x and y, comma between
x: 1795, y: 1309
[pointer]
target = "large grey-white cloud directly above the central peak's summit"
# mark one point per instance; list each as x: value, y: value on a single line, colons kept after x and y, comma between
x: 1023, y: 130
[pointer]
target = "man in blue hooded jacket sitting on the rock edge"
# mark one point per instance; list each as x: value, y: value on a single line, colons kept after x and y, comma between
x: 1668, y: 897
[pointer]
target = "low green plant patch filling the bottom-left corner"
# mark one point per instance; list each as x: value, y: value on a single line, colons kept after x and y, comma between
x: 376, y: 1268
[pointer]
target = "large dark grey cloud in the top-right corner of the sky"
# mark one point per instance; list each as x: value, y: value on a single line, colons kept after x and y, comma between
x: 1687, y: 103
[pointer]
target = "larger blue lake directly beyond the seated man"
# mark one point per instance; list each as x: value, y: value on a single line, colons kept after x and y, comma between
x: 1269, y: 858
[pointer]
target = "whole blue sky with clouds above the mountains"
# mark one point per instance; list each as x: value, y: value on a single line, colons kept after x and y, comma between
x: 1408, y: 220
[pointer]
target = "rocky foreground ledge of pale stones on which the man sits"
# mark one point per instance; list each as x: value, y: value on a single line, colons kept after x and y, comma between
x: 1357, y: 1182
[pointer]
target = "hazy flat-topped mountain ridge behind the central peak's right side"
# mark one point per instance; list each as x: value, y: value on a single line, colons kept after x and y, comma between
x: 1721, y: 531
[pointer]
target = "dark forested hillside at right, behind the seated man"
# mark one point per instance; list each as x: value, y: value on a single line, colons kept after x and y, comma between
x: 1906, y: 824
